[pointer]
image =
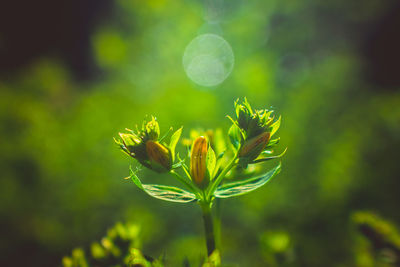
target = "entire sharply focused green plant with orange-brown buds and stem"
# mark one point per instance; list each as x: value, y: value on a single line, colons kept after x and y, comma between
x: 212, y: 166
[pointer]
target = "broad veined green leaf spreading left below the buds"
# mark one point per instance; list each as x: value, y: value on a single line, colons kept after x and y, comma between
x: 164, y: 192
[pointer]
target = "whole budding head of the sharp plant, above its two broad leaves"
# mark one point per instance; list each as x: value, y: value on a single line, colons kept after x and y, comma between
x: 209, y: 160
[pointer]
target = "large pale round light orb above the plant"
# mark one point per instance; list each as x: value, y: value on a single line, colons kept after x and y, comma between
x: 208, y: 60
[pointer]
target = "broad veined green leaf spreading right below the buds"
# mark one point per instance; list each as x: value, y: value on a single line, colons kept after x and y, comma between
x: 245, y: 186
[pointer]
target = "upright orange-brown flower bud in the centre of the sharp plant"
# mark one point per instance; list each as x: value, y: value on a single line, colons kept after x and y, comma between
x: 198, y: 164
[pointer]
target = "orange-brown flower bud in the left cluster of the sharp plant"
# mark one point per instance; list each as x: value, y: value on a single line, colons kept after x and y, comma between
x: 159, y: 156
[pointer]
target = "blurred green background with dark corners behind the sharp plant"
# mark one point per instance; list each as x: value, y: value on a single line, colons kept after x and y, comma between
x: 329, y: 68
